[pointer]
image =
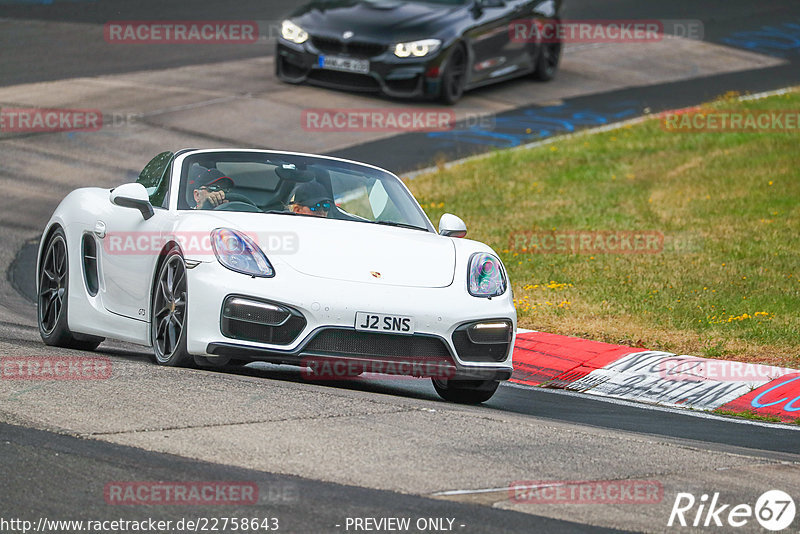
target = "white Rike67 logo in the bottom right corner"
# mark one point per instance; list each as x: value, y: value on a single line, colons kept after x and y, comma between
x: 774, y: 510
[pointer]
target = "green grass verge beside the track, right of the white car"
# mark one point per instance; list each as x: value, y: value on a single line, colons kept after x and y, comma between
x: 727, y: 283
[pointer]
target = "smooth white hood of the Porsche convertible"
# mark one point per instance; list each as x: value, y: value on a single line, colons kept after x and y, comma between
x: 344, y: 250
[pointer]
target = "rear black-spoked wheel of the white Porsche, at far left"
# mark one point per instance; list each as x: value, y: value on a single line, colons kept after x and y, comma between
x: 53, y: 296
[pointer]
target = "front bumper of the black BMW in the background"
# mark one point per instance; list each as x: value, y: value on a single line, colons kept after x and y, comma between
x: 388, y: 74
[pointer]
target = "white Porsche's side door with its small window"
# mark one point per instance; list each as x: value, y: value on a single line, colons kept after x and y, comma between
x: 131, y: 245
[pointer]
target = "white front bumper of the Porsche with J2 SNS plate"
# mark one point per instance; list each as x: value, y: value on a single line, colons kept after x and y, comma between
x: 328, y: 308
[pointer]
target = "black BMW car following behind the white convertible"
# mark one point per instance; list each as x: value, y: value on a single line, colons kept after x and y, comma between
x: 425, y: 48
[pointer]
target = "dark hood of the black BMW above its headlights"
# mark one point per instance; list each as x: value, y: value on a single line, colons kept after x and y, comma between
x: 376, y: 20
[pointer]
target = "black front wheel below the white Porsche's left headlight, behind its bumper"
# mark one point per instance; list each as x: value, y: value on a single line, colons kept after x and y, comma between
x: 168, y: 324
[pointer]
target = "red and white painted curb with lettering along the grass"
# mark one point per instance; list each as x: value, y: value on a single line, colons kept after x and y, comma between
x: 622, y: 372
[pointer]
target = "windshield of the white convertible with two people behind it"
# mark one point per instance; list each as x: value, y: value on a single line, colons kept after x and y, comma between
x: 297, y: 185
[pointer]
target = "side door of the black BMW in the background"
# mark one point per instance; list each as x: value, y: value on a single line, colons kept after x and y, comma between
x: 495, y: 54
